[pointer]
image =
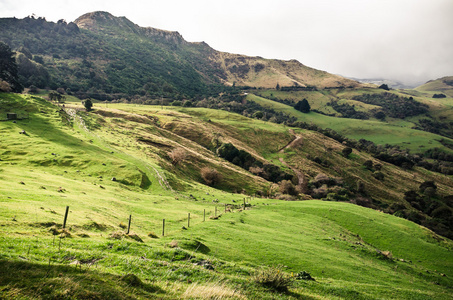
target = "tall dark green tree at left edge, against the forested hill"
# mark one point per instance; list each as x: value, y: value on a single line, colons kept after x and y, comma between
x: 8, y: 68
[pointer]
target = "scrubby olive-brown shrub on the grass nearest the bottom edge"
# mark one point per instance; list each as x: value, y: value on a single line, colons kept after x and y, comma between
x: 273, y: 278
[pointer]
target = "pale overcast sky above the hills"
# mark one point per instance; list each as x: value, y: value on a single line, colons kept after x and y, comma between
x: 406, y: 40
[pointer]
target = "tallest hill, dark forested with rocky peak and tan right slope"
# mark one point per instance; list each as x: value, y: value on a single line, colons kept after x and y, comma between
x: 99, y: 54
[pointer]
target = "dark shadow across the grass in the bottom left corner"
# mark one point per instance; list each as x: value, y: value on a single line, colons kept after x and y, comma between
x: 21, y: 279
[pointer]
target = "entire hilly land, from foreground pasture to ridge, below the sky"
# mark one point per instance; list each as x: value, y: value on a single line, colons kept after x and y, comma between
x: 137, y: 165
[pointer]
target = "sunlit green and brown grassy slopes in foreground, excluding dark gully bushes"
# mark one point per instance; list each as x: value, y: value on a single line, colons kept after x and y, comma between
x: 115, y: 163
